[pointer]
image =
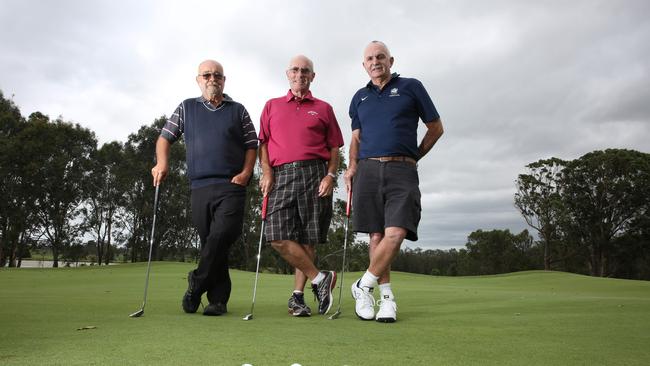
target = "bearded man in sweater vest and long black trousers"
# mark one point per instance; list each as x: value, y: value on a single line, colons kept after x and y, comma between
x: 221, y: 146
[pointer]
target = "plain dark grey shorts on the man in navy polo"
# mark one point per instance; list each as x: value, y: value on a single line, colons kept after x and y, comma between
x: 386, y: 194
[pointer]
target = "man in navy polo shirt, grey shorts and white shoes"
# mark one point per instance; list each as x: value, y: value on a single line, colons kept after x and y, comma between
x: 383, y: 166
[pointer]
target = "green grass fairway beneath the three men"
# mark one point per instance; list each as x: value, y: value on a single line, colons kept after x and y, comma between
x: 528, y: 318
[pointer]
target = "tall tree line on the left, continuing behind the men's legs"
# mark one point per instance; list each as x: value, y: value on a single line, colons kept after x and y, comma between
x: 64, y: 193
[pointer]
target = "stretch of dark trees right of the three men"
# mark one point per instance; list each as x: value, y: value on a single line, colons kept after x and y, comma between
x: 591, y: 215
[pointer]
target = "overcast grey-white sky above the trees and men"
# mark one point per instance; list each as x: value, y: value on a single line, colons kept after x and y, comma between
x: 514, y: 81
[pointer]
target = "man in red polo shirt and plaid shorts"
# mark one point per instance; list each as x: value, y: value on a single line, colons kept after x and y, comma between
x: 300, y: 140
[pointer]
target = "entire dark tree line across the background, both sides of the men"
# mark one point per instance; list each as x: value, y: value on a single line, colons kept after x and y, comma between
x: 63, y: 192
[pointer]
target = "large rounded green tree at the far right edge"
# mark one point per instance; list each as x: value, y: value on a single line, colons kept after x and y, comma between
x: 606, y: 194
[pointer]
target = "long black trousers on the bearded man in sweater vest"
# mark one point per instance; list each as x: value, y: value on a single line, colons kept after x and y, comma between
x: 218, y: 215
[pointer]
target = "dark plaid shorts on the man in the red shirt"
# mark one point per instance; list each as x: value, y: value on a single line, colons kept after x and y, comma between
x: 295, y: 212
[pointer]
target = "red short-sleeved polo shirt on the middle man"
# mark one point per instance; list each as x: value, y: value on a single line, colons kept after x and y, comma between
x: 298, y: 129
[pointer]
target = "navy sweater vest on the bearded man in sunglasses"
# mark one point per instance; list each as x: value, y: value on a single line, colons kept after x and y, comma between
x: 215, y: 141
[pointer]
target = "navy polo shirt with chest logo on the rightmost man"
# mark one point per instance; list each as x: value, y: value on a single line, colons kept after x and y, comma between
x: 388, y: 118
